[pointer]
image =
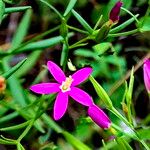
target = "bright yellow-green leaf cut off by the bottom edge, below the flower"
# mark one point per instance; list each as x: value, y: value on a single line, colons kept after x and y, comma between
x: 75, y: 142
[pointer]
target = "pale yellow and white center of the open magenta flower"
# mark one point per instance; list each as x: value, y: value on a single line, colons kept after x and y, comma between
x: 65, y: 86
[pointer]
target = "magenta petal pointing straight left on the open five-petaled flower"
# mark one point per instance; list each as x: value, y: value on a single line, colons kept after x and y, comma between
x: 45, y: 88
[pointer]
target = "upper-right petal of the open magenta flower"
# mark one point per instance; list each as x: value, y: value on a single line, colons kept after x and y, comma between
x: 81, y: 75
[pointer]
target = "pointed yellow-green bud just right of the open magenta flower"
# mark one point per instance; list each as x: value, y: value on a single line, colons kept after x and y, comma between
x: 101, y: 92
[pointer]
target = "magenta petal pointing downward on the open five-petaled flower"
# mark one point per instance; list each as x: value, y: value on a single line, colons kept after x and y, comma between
x: 60, y: 105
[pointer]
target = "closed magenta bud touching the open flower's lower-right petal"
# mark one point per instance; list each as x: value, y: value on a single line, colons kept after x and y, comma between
x: 99, y: 117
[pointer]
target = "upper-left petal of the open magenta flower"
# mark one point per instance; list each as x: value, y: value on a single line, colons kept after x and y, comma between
x: 56, y: 72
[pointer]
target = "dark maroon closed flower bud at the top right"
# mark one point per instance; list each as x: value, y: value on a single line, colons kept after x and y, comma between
x: 114, y: 14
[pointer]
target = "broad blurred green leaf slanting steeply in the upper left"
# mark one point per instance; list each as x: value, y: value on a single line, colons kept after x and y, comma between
x: 21, y: 30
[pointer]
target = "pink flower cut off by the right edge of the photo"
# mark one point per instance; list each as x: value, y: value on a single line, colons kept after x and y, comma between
x: 146, y: 71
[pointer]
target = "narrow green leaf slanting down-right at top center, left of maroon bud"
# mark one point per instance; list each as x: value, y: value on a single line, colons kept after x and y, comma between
x: 83, y: 22
